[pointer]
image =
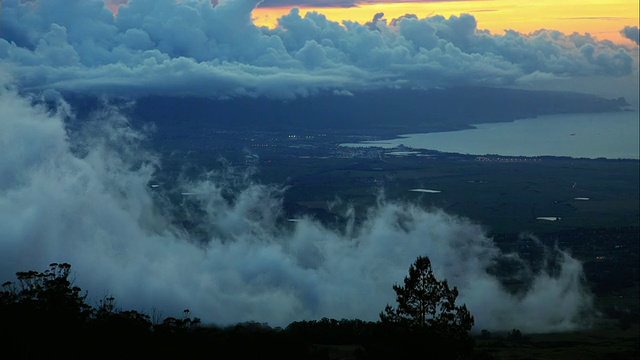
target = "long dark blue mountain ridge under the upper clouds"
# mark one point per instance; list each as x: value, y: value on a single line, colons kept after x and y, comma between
x: 379, y: 112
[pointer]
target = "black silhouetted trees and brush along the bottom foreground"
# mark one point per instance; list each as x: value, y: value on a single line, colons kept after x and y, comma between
x: 45, y: 314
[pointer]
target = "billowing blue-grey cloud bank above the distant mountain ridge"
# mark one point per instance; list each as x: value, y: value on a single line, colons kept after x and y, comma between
x: 191, y: 47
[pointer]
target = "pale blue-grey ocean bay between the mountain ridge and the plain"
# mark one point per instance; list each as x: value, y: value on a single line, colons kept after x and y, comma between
x: 602, y: 135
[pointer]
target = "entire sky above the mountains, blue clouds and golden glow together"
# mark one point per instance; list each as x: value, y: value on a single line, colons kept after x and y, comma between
x: 190, y: 47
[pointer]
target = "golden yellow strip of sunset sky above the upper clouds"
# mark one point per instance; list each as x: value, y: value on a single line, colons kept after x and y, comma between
x: 601, y: 18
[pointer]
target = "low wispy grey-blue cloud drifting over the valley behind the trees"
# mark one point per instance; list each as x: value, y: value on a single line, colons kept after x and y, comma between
x: 85, y: 196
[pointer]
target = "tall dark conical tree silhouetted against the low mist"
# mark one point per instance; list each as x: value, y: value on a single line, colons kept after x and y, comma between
x: 424, y: 302
